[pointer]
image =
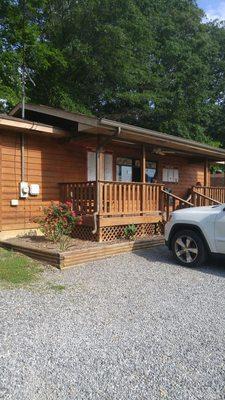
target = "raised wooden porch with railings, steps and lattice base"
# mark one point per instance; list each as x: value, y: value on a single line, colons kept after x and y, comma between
x: 106, y: 205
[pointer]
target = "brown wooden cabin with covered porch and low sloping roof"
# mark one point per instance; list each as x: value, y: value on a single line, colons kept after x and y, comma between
x: 115, y: 174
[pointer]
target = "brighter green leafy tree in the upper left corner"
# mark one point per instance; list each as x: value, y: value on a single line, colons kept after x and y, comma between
x: 22, y: 43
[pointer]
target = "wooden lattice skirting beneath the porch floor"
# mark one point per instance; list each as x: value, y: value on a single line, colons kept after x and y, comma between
x: 112, y: 233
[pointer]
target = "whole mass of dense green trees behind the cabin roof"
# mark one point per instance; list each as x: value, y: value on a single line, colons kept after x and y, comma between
x: 154, y: 64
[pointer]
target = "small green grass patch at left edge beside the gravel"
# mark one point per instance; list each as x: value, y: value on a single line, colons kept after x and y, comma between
x: 17, y: 269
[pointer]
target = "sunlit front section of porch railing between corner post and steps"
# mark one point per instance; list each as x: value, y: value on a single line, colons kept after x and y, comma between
x: 124, y: 198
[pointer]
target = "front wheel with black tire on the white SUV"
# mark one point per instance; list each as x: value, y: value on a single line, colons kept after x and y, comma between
x: 188, y: 248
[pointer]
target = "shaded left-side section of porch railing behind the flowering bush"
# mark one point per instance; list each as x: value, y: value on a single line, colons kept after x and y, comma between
x: 81, y: 194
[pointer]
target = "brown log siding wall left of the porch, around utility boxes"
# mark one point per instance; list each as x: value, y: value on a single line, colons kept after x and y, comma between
x: 46, y: 163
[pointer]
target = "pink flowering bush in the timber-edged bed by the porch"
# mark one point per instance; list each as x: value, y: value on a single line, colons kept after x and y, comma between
x: 57, y: 223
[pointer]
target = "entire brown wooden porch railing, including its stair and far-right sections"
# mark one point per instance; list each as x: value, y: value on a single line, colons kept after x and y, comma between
x: 131, y: 198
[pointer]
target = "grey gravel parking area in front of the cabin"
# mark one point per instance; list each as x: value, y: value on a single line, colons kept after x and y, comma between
x: 135, y: 326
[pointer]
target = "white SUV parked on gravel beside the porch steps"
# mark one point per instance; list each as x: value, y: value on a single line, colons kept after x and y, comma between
x: 194, y: 233
